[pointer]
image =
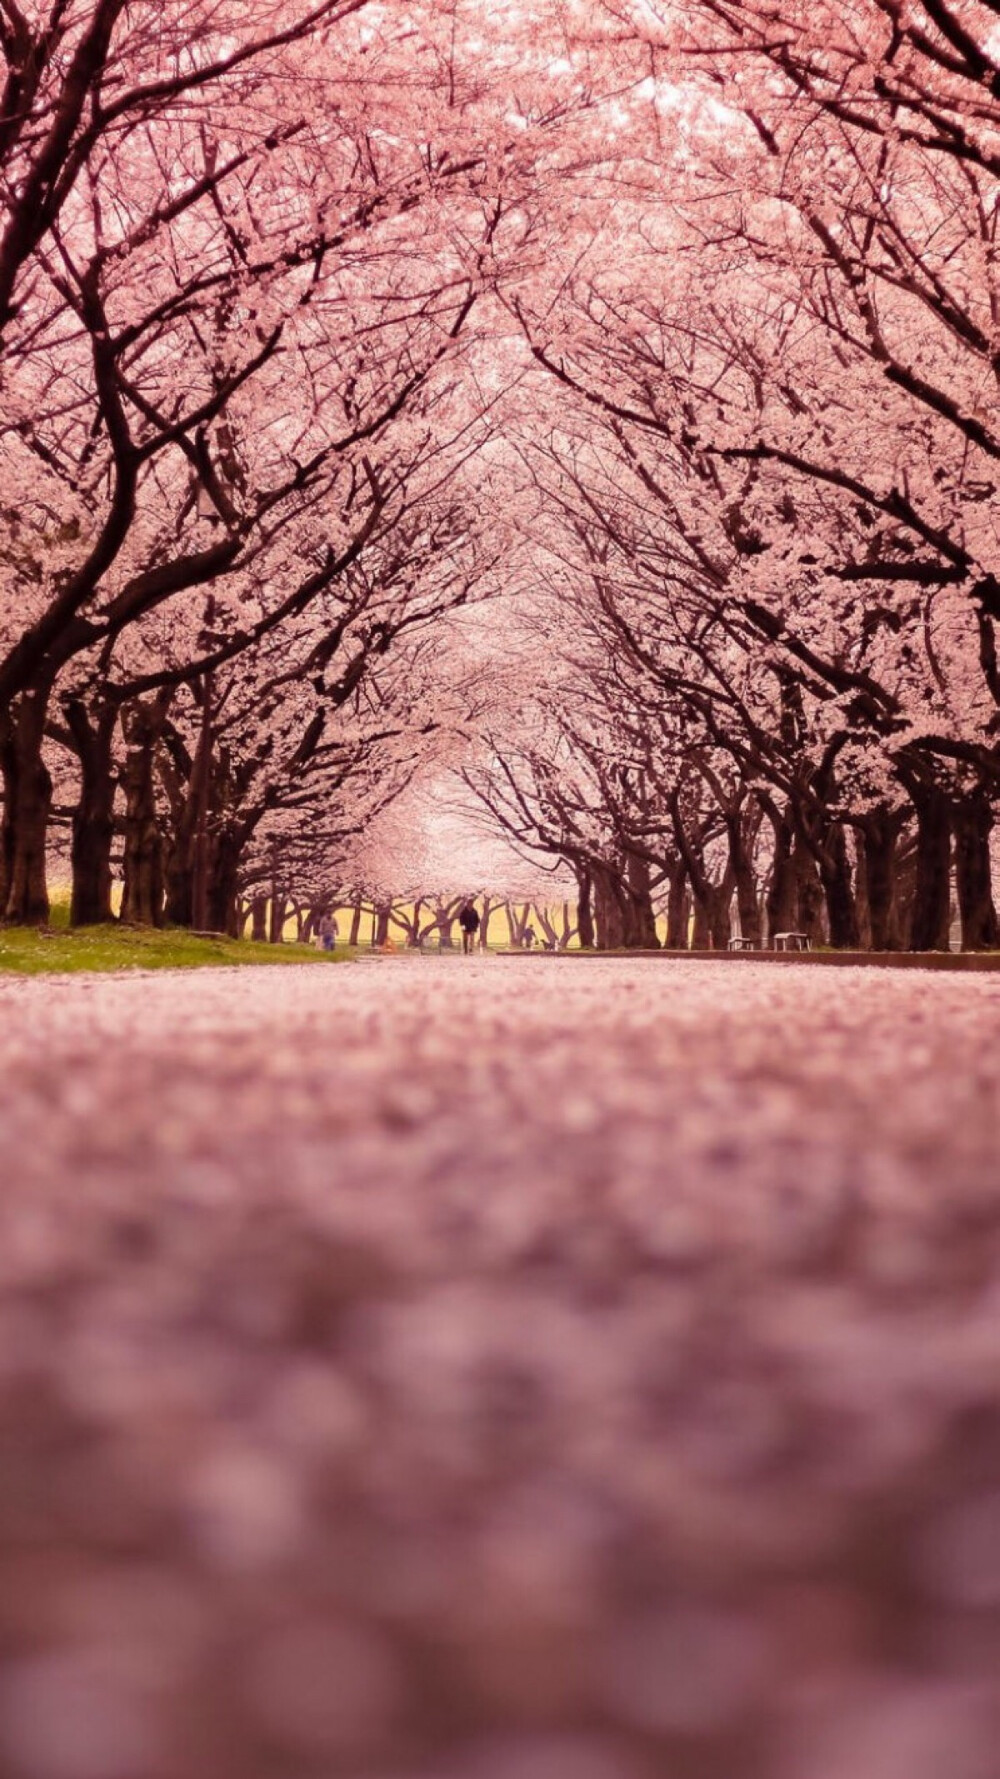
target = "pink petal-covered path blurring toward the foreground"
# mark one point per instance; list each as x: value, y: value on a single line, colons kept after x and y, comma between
x: 444, y: 1369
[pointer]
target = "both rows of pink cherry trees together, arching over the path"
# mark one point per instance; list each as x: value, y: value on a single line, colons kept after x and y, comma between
x: 675, y: 323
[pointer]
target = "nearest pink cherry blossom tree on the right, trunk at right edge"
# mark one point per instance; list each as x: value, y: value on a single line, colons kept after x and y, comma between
x: 837, y: 334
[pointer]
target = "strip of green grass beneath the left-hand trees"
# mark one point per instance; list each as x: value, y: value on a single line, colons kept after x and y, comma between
x: 33, y: 953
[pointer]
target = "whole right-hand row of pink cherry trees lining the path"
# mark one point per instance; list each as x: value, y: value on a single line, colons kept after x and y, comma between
x: 766, y: 488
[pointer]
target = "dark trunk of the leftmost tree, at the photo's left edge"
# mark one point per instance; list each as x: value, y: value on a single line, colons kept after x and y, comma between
x: 28, y: 803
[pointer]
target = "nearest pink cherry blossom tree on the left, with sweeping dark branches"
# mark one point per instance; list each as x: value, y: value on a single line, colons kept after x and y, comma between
x: 310, y: 271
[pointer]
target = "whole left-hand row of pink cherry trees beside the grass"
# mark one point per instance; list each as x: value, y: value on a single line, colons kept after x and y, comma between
x: 241, y: 275
